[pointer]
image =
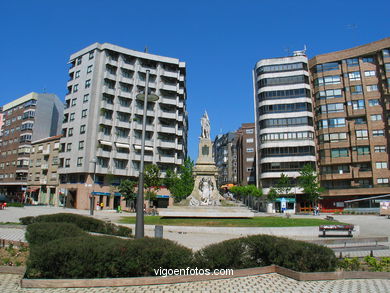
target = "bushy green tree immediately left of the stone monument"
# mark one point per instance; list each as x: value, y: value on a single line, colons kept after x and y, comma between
x: 180, y: 185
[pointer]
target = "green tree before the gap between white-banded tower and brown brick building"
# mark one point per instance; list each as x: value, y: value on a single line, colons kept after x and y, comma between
x: 308, y: 181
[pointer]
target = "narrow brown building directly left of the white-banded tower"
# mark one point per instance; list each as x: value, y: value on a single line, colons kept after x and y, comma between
x: 246, y: 154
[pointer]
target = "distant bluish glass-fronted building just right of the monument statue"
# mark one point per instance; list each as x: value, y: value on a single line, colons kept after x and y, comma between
x: 225, y: 157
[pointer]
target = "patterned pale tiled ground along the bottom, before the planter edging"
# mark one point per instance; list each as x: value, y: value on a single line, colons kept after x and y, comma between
x: 262, y: 283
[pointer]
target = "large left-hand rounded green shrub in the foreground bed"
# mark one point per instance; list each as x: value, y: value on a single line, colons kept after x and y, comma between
x: 105, y: 257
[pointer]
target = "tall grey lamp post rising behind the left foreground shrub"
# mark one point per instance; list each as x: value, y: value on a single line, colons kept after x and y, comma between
x: 145, y: 97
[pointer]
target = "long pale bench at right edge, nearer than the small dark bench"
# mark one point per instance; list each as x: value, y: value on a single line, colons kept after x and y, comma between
x: 356, y: 244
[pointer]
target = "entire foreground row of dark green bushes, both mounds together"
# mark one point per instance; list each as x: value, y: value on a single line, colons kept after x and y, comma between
x: 63, y: 250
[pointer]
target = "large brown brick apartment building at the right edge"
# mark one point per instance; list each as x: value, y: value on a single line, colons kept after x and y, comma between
x: 352, y: 104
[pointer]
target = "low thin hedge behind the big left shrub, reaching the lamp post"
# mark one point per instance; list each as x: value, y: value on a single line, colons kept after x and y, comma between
x: 85, y: 223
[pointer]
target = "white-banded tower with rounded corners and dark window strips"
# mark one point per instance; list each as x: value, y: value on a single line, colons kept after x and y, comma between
x: 284, y: 118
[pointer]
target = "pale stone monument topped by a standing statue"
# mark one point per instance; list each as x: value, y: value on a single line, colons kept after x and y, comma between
x: 205, y: 192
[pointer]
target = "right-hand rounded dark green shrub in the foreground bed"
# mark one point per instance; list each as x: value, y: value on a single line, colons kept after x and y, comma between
x: 263, y: 250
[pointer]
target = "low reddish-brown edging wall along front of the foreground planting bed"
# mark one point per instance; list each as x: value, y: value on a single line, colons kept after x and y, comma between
x: 139, y: 281
